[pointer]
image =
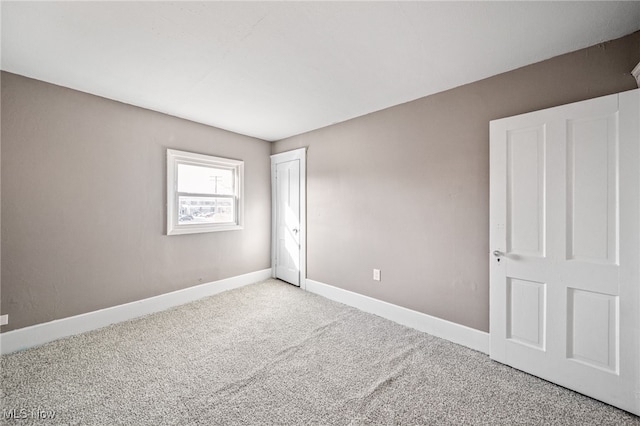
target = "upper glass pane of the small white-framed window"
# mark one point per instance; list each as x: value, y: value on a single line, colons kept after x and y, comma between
x: 204, y: 180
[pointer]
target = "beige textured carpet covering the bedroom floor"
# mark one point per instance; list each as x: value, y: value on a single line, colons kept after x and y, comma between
x: 272, y: 354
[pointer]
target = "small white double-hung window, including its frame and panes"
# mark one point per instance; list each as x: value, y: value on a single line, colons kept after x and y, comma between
x: 204, y: 193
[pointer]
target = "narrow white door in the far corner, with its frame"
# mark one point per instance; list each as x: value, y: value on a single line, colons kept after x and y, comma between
x: 288, y: 216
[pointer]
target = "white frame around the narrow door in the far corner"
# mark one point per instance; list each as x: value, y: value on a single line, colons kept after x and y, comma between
x: 301, y: 155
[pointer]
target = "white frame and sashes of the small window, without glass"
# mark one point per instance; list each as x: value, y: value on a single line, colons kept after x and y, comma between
x: 174, y: 158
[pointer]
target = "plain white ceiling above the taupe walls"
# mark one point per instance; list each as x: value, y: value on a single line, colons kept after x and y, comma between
x: 277, y: 69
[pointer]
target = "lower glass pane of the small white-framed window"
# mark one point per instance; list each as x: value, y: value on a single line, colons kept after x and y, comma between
x: 194, y: 210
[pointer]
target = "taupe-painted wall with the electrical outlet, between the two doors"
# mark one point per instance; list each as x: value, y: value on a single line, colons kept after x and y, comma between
x: 406, y: 189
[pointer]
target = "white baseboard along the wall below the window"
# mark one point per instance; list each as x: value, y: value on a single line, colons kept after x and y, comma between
x: 35, y: 335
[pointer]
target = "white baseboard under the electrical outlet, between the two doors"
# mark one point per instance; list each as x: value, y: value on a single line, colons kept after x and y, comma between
x: 460, y: 334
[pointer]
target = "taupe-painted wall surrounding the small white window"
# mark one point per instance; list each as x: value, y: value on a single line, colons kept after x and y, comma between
x: 83, y: 204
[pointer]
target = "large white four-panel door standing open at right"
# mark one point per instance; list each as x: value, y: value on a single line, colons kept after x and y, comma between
x: 565, y: 242
